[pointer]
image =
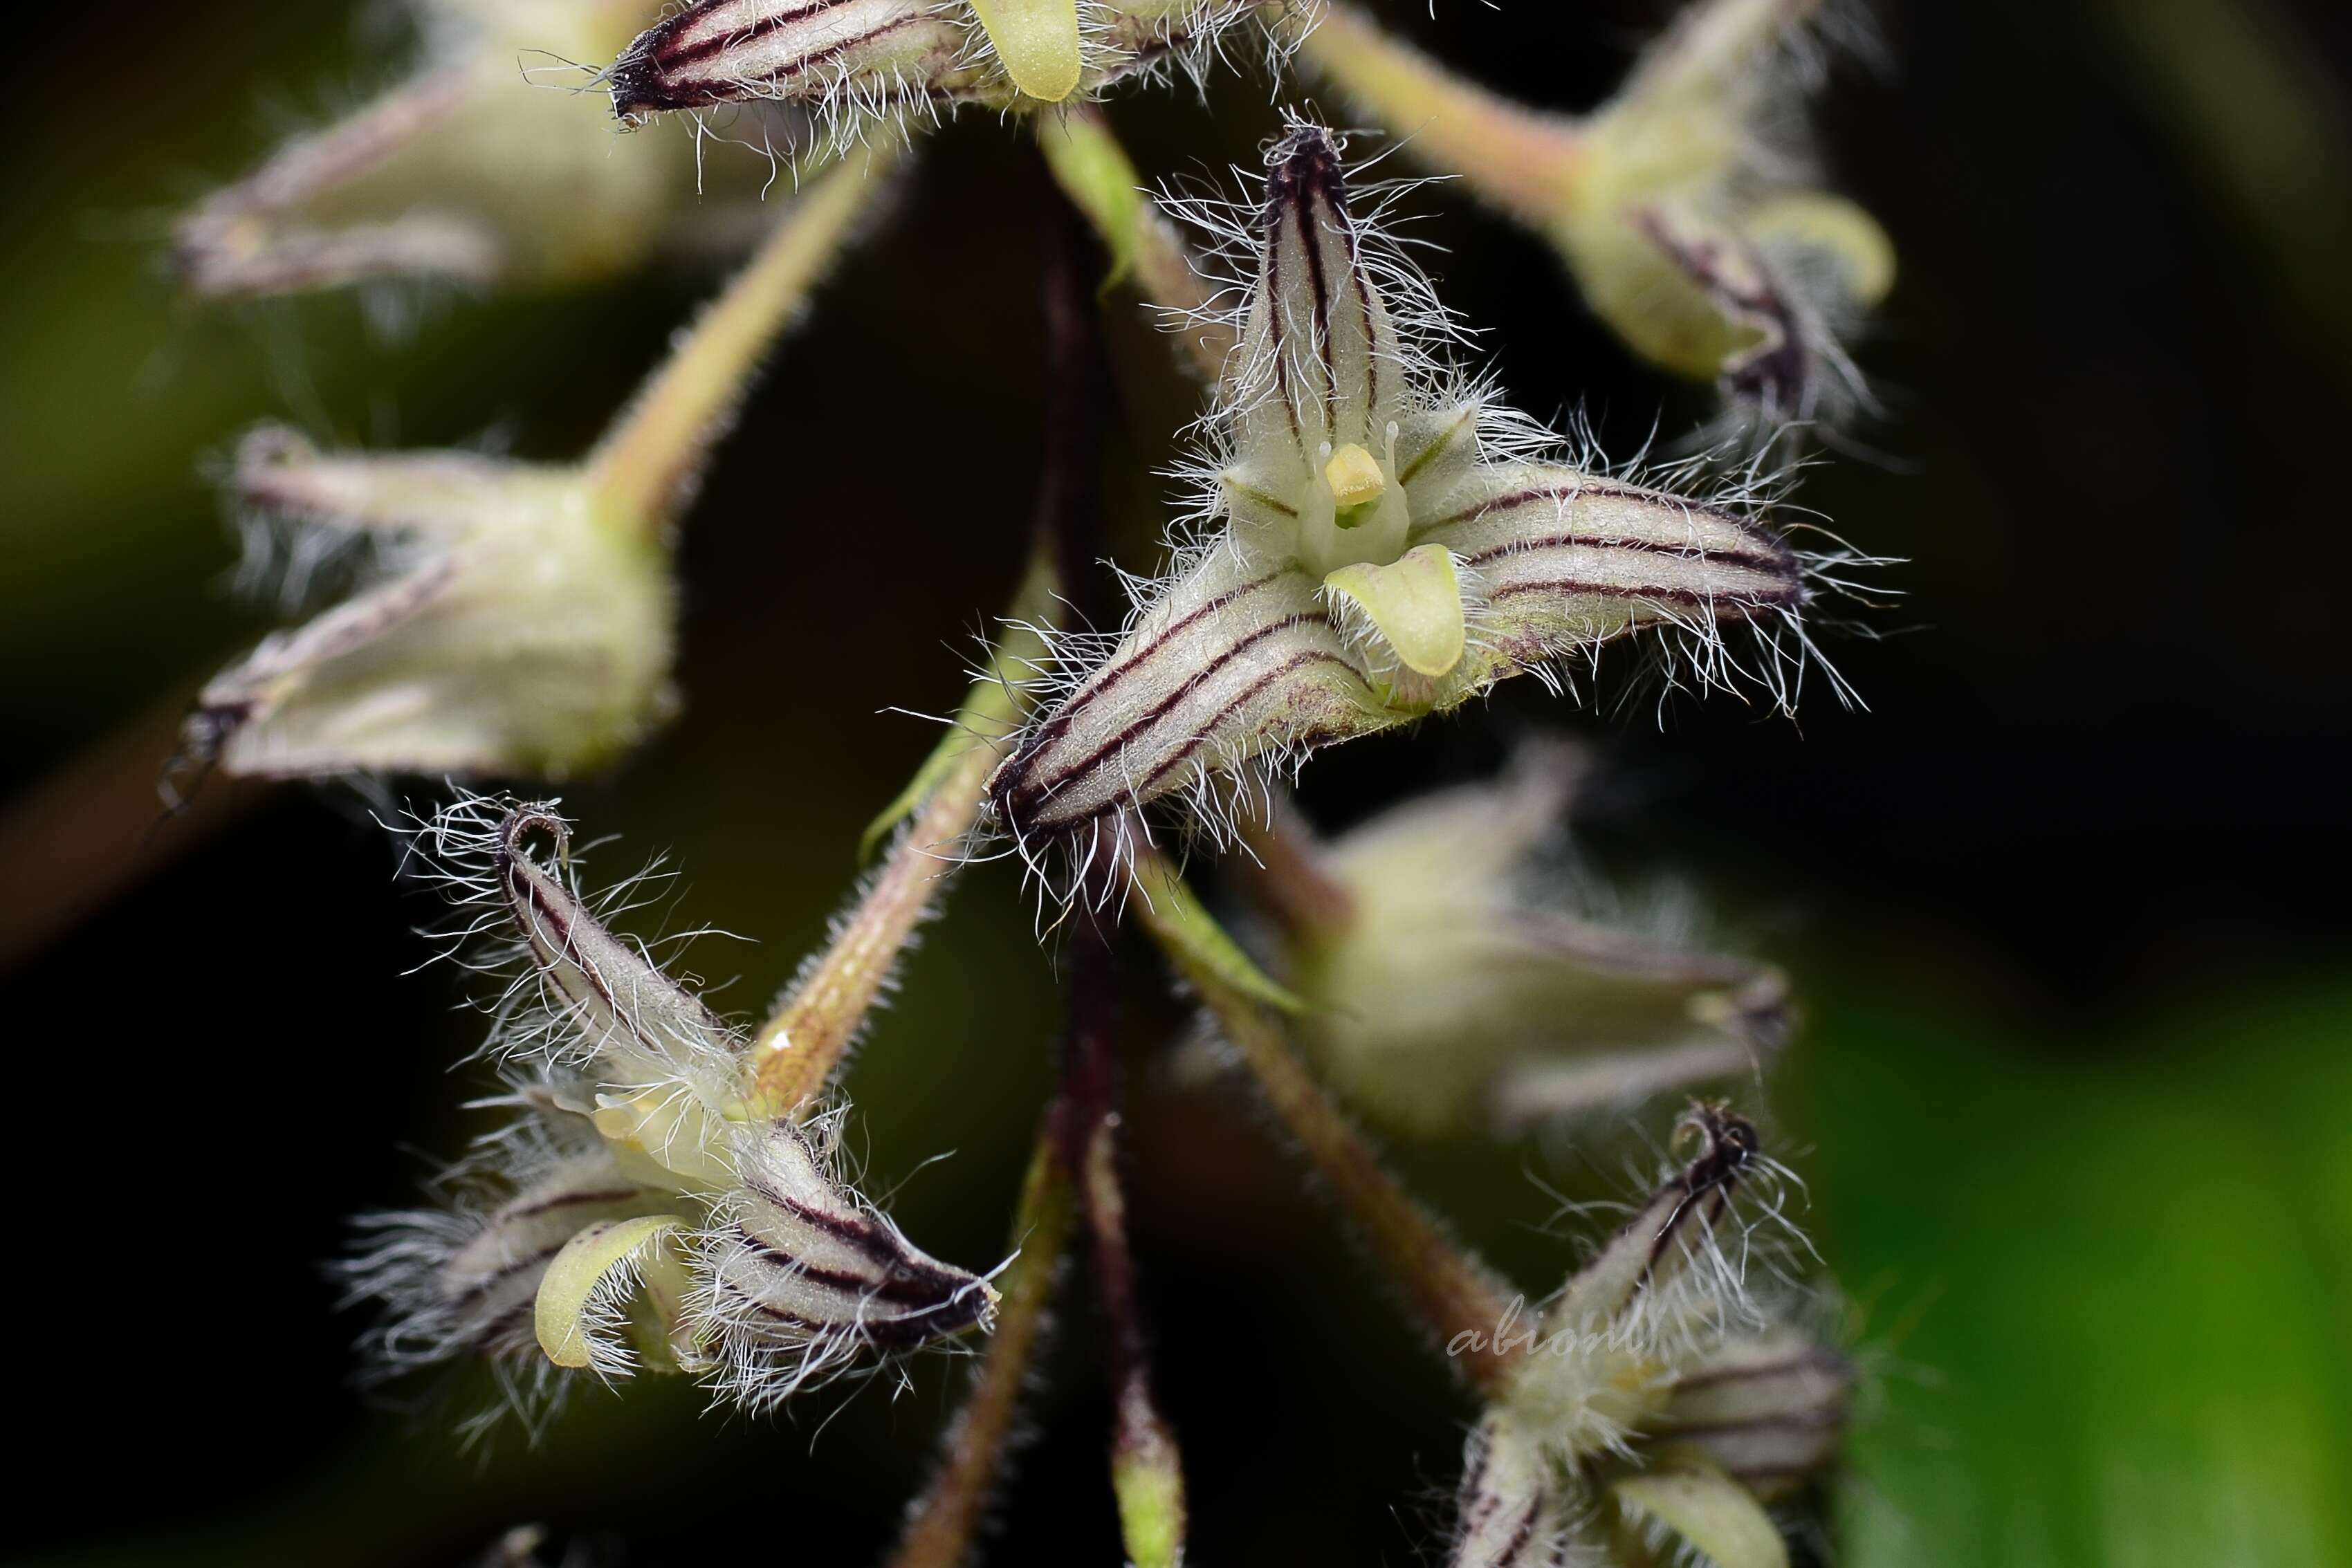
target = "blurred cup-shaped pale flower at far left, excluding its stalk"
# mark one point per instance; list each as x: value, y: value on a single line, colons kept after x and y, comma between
x: 507, y: 626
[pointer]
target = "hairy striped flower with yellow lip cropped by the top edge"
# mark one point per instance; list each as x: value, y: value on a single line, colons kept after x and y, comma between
x: 867, y: 60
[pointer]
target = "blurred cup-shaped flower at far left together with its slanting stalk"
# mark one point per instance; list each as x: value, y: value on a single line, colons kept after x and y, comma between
x: 514, y: 619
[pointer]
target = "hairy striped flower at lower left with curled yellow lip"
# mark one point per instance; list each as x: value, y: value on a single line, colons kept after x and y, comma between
x: 646, y: 1209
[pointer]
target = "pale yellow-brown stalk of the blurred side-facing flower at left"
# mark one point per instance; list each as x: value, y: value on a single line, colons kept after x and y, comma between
x: 648, y: 464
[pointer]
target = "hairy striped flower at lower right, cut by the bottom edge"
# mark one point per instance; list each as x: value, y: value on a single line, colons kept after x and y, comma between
x: 1659, y: 1405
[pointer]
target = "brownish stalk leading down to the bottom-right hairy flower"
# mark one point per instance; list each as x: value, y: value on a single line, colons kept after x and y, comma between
x: 1450, y: 1289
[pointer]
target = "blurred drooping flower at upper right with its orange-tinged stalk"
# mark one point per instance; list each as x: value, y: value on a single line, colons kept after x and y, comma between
x: 1685, y: 206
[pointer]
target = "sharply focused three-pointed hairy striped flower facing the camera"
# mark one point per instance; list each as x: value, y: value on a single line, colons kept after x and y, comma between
x: 1384, y: 544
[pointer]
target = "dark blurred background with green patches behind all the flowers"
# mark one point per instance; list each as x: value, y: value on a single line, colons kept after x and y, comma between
x: 2062, y: 902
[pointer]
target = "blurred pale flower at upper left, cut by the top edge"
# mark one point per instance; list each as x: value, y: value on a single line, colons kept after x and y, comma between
x: 483, y: 168
